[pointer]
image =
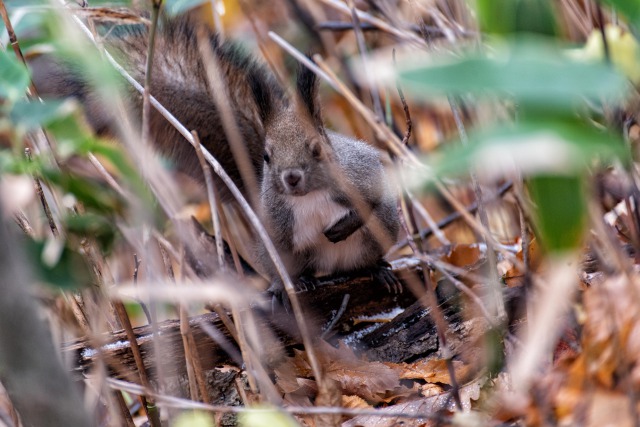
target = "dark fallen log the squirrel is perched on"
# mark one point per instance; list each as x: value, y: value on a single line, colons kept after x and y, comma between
x: 320, y: 304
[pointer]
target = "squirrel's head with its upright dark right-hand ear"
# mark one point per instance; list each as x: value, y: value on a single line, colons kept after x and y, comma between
x: 298, y: 154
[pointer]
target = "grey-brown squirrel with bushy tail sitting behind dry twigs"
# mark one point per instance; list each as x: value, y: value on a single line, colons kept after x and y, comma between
x: 324, y: 198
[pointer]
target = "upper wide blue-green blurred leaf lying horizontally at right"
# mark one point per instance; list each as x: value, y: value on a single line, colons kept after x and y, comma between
x: 531, y: 74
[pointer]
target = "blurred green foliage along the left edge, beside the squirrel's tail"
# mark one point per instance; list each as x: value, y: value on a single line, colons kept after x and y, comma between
x: 99, y: 205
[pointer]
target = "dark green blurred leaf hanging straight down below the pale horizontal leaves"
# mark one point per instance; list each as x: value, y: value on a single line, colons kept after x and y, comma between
x: 560, y: 210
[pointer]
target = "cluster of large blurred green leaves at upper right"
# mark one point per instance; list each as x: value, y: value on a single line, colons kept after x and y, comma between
x: 552, y: 141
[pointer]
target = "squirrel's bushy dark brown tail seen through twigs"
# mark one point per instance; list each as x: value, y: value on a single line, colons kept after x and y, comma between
x: 179, y: 83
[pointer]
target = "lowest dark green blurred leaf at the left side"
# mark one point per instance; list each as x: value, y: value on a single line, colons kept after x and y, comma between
x: 61, y: 267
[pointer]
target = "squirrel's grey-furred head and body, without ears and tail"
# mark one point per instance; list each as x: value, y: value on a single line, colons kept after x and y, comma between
x: 345, y: 164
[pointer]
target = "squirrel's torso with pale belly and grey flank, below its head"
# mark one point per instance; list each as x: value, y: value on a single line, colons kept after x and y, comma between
x: 312, y: 227
